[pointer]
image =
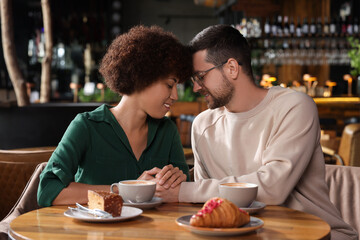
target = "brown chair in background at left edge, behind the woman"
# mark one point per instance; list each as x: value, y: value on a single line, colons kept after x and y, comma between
x: 16, y: 168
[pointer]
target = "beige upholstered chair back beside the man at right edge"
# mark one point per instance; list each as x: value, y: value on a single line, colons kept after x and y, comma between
x: 344, y: 192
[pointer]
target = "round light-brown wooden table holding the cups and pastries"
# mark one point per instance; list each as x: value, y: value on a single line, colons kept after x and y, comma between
x: 159, y: 223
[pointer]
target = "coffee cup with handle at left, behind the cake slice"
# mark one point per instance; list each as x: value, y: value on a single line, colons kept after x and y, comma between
x: 135, y: 191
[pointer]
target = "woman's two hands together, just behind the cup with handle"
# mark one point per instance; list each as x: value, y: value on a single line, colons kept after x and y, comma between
x: 166, y: 177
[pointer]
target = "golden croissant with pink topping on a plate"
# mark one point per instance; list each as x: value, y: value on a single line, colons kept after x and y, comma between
x: 219, y: 213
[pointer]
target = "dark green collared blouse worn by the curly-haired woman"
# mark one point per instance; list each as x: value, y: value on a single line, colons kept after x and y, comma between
x: 95, y: 150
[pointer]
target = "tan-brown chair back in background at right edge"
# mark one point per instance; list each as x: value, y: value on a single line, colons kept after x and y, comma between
x: 349, y: 148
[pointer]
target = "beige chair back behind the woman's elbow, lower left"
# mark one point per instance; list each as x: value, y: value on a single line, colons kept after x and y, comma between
x: 25, y: 203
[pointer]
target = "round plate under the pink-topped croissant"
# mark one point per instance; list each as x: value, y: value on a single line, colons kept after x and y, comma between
x: 254, y: 224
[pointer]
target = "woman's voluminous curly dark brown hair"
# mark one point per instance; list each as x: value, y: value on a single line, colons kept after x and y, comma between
x: 137, y: 59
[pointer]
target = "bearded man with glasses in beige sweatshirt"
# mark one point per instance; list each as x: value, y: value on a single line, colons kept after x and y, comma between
x: 270, y: 137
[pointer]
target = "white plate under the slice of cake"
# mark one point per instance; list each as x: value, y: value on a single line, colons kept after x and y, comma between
x: 126, y: 213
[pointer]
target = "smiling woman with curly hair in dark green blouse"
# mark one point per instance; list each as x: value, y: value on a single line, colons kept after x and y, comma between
x: 132, y: 140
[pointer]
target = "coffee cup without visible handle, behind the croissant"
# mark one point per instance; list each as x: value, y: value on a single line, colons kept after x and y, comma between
x: 241, y: 194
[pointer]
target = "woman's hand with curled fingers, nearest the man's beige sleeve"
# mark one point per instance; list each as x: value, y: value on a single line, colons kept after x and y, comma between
x: 170, y: 177
